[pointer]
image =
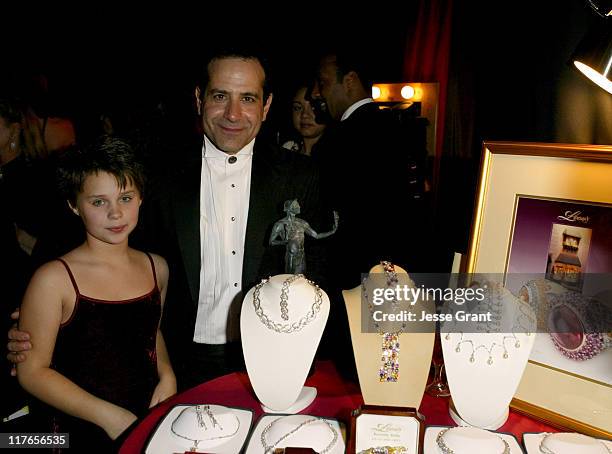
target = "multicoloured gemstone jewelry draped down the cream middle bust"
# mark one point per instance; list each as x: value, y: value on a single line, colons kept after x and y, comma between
x: 389, y: 368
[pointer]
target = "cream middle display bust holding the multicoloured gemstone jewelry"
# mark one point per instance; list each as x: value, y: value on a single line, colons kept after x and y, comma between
x: 414, y: 352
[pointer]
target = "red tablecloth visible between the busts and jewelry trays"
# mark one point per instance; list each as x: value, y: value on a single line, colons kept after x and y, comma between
x: 335, y: 398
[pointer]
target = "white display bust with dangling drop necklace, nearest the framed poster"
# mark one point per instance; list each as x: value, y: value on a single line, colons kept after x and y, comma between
x: 485, y: 373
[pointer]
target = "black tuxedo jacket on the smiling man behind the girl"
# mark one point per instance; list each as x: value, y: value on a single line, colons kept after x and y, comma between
x: 172, y: 228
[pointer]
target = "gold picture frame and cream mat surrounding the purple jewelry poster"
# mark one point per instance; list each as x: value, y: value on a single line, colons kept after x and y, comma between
x: 555, y: 173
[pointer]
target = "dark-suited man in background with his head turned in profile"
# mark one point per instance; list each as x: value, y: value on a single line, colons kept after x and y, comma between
x: 381, y: 198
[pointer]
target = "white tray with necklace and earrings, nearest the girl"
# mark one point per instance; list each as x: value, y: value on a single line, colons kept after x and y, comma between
x: 201, y: 428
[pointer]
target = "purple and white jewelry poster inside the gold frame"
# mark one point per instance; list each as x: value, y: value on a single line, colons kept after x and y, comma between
x: 558, y: 243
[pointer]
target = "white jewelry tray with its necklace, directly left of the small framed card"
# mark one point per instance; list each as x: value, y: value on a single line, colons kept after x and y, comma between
x: 323, y: 435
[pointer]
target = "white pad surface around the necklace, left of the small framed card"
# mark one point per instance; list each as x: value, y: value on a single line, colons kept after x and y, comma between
x: 315, y: 436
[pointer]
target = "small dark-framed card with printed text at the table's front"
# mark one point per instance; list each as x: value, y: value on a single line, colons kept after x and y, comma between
x: 382, y: 429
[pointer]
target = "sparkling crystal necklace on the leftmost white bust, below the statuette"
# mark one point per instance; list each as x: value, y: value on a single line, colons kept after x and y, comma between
x: 287, y: 328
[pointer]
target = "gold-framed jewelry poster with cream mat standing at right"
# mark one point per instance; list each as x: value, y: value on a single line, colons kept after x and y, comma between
x: 545, y: 209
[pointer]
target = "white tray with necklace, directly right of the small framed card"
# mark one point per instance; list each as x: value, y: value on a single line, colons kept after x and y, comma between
x: 468, y: 440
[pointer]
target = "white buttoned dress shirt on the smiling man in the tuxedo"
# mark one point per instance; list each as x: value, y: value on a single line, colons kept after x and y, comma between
x: 224, y: 207
